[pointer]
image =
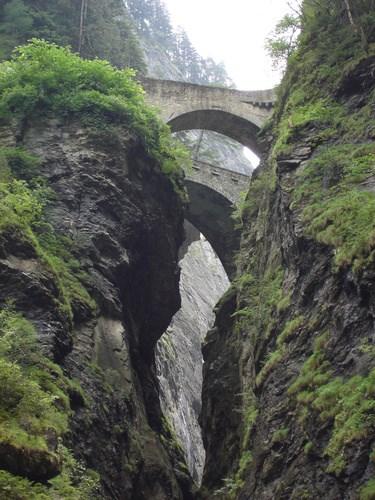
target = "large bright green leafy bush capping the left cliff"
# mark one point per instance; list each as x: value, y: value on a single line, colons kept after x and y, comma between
x: 43, y: 79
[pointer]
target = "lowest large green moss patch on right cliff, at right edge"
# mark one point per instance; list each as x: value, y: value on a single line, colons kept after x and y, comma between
x: 349, y: 404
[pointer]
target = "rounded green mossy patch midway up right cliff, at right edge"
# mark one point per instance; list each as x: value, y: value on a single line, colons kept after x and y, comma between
x: 337, y: 207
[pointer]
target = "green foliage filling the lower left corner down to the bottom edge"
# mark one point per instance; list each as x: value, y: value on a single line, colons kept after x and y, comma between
x: 34, y: 413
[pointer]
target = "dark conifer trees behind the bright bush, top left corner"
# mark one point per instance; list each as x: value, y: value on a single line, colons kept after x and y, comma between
x: 103, y: 29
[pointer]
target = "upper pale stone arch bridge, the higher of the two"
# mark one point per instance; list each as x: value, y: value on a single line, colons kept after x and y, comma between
x: 235, y: 113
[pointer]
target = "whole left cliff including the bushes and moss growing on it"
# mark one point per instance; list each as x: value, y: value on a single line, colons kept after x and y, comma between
x: 97, y: 277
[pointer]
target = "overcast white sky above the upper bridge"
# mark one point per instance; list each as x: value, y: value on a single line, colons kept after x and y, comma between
x: 232, y: 31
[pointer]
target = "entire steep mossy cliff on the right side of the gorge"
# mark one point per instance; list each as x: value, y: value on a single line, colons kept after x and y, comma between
x: 288, y: 393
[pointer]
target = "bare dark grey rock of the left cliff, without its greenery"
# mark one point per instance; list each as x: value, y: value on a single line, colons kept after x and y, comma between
x: 126, y: 225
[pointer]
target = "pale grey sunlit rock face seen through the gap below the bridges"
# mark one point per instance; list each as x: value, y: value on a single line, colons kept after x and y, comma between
x: 179, y: 358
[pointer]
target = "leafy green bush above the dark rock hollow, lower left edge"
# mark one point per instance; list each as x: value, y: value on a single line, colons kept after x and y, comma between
x: 27, y: 406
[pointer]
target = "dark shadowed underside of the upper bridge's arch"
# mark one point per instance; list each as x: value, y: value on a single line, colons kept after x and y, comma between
x: 241, y: 130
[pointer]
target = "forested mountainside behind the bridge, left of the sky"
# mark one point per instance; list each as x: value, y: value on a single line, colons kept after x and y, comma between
x: 107, y: 29
